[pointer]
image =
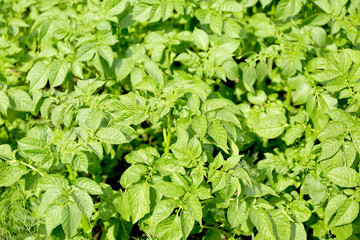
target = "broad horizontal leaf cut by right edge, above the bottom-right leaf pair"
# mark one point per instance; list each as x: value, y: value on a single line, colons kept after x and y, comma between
x: 344, y: 177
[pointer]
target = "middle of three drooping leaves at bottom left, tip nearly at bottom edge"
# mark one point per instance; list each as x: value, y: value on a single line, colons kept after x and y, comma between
x: 70, y: 219
